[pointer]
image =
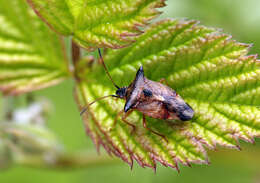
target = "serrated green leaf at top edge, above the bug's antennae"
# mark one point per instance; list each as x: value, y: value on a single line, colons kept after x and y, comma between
x: 95, y: 24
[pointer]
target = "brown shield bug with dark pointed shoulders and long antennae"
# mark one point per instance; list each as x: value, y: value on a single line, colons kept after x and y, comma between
x: 151, y: 98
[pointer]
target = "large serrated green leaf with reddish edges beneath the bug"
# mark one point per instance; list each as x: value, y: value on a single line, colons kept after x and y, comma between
x: 208, y: 69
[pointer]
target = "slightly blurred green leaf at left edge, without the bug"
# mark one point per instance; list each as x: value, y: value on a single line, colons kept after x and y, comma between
x: 31, y: 55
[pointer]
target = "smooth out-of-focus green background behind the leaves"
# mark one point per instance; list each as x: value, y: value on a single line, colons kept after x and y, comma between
x: 240, y: 18
